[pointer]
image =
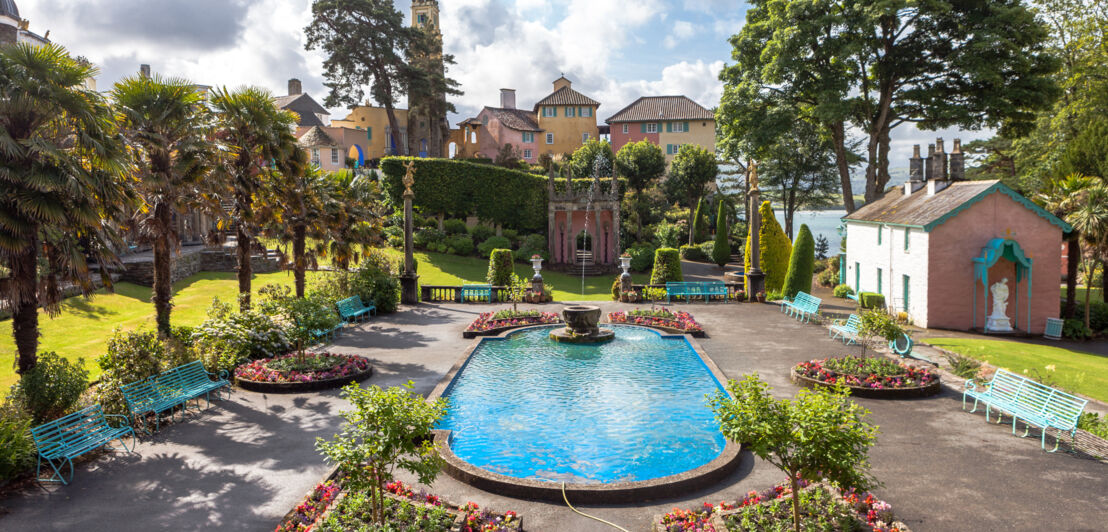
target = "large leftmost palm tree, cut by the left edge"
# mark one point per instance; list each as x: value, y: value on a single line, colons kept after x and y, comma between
x: 61, y: 176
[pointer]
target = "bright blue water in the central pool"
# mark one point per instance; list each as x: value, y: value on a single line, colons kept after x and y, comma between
x: 629, y: 411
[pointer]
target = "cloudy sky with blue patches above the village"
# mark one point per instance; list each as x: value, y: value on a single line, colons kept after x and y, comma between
x: 613, y: 50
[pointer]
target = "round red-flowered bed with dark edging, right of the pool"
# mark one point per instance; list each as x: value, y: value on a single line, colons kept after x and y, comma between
x: 877, y: 377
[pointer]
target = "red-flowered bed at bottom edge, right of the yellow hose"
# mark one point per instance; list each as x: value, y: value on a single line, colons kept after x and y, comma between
x: 824, y: 507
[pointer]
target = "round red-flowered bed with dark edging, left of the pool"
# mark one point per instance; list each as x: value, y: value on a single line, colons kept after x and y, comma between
x: 290, y: 374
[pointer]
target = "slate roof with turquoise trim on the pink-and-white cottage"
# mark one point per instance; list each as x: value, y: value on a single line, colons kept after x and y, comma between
x: 919, y: 210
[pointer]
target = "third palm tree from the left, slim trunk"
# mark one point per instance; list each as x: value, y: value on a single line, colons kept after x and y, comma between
x: 260, y: 140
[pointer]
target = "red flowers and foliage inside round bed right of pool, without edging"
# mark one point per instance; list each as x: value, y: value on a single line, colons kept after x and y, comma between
x: 866, y: 373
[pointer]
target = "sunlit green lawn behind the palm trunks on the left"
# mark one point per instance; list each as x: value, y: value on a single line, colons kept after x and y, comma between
x: 83, y: 329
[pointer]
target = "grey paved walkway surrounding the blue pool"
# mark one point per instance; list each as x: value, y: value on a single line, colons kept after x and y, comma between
x: 244, y: 463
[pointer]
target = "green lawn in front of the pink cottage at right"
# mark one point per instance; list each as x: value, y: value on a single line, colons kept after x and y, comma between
x: 1079, y: 372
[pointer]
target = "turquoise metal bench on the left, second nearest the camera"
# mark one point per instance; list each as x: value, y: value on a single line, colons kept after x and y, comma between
x: 166, y: 392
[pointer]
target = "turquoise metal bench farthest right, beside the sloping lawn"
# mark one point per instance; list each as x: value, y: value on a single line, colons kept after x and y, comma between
x: 1029, y: 402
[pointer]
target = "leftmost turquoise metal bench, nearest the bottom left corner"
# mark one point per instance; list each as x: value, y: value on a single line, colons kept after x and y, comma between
x: 75, y: 435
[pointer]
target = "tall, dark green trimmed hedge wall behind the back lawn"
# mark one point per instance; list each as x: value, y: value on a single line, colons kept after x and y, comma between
x: 460, y: 189
